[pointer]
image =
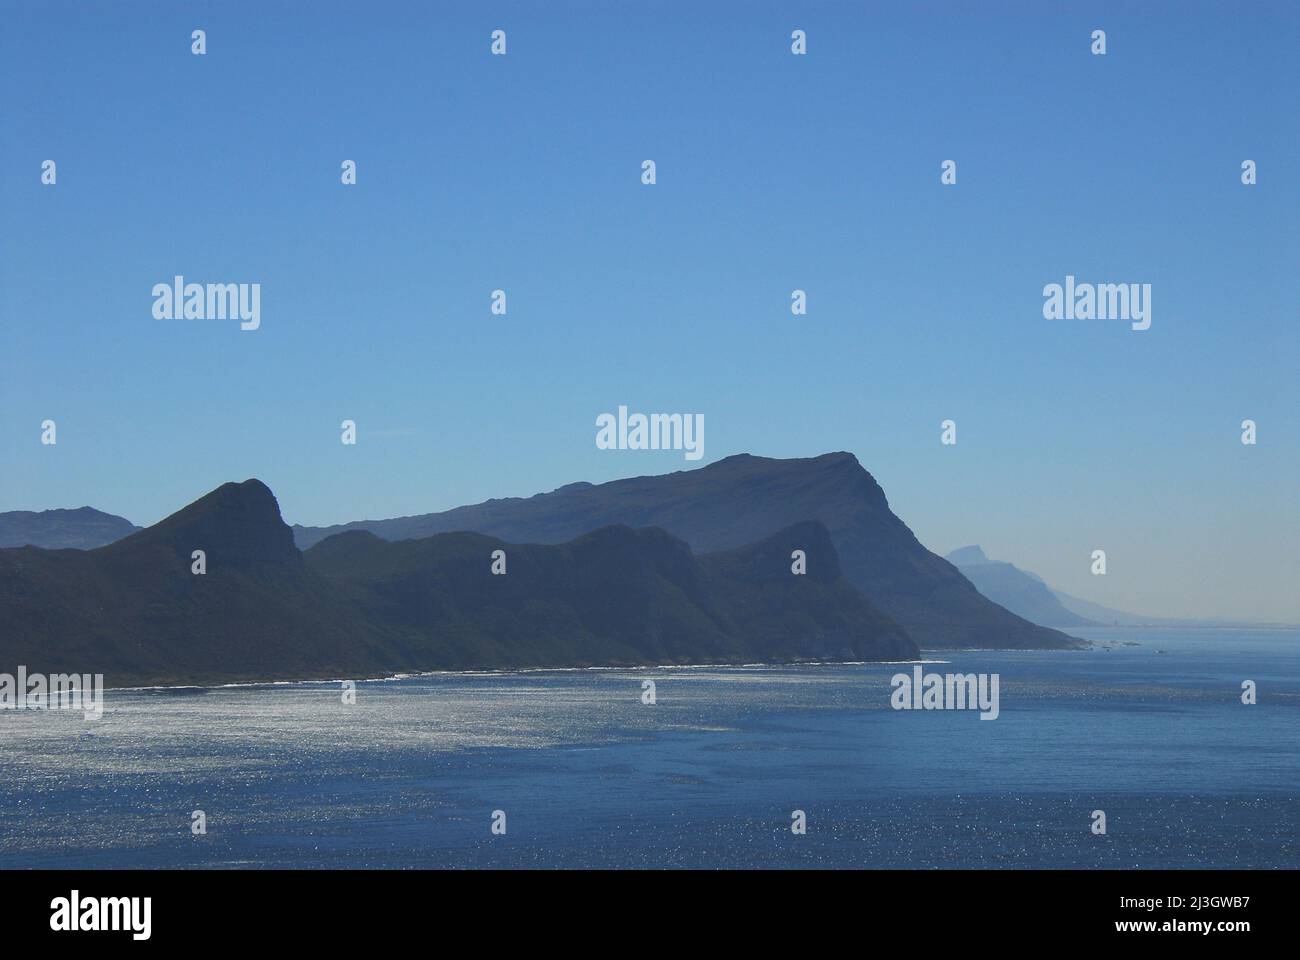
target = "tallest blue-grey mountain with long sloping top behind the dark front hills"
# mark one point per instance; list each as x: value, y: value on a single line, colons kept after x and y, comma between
x: 744, y: 499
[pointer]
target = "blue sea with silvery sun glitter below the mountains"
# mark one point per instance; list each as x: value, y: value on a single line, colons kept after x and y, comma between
x: 1149, y: 727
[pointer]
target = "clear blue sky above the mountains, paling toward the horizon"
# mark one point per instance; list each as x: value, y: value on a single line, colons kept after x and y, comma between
x: 775, y: 172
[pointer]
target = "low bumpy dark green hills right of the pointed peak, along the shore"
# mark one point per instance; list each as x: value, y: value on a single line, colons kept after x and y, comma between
x: 613, y: 596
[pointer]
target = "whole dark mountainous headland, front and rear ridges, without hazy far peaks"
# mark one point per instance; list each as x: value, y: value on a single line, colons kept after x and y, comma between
x: 687, y: 568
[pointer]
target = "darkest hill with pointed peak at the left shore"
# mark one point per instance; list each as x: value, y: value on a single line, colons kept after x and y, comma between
x: 135, y: 611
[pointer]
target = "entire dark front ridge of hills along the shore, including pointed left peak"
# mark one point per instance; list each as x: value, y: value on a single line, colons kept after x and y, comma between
x: 361, y: 607
